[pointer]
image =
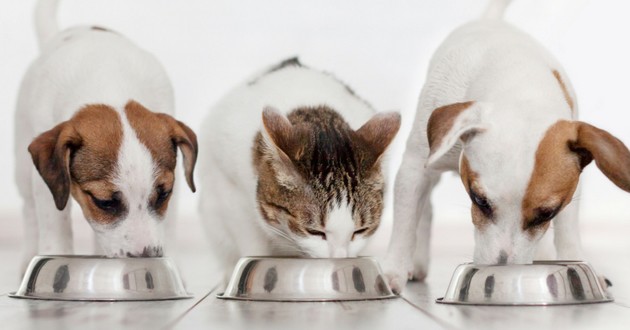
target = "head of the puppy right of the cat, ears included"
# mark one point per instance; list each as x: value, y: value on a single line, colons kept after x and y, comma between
x: 519, y: 175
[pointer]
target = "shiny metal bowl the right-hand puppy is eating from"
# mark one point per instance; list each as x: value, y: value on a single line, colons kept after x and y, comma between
x: 540, y: 283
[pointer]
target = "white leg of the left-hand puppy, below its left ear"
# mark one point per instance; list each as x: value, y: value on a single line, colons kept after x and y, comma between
x: 55, y: 227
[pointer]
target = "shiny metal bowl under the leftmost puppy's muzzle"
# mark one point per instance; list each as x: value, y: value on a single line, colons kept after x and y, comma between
x: 97, y: 278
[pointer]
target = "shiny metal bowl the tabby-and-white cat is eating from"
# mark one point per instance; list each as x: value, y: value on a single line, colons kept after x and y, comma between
x: 300, y: 279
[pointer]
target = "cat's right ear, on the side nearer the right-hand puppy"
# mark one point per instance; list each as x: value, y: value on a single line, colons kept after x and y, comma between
x: 378, y: 133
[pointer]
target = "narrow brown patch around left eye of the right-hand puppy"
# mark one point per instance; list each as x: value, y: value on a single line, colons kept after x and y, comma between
x: 482, y: 210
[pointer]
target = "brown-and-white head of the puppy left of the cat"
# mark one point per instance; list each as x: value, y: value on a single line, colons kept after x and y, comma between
x: 119, y: 166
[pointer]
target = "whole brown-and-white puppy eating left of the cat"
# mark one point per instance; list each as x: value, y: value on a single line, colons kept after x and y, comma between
x: 93, y: 112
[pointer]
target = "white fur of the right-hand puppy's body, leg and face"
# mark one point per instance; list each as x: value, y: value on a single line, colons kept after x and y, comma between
x: 508, y: 75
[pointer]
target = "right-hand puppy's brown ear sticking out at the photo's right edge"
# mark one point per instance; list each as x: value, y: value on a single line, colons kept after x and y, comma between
x: 610, y: 154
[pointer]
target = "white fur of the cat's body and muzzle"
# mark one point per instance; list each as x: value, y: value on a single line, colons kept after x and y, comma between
x: 228, y: 185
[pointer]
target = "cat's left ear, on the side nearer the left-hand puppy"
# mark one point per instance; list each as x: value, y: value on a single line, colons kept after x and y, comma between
x: 282, y: 145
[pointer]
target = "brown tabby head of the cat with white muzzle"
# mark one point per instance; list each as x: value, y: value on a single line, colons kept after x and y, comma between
x: 320, y: 183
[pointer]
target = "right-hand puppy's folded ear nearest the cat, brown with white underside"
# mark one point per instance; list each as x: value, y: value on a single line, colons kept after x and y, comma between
x: 449, y: 124
